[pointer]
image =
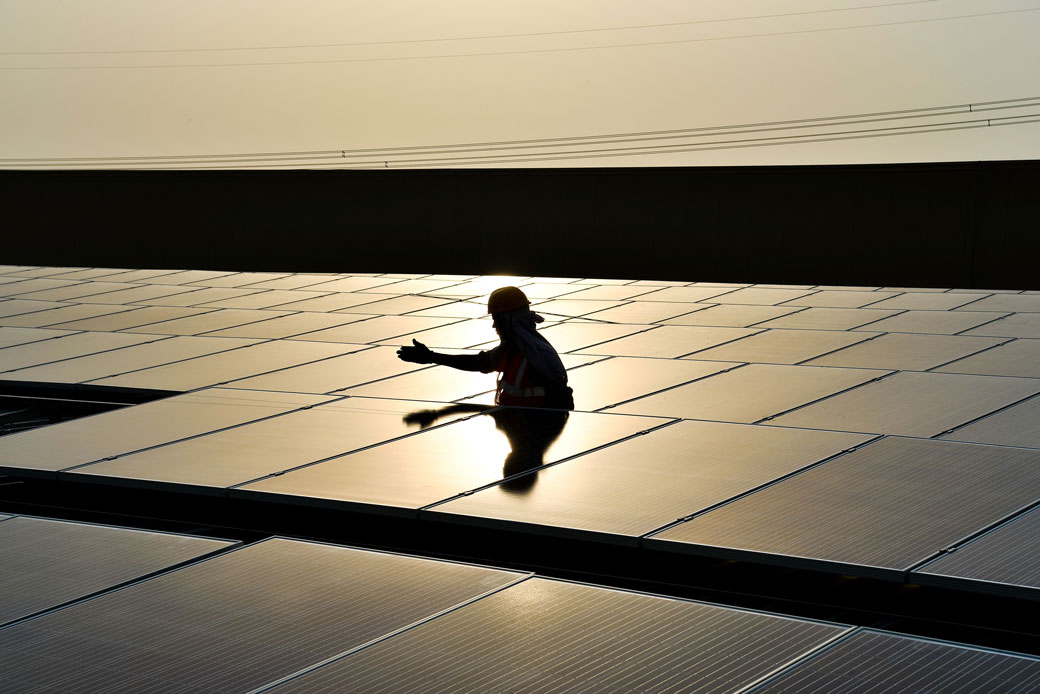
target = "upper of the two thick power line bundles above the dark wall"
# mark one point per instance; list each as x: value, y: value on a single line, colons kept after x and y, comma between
x: 747, y: 128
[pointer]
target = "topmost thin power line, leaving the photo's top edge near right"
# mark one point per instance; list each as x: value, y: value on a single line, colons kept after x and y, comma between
x: 482, y: 38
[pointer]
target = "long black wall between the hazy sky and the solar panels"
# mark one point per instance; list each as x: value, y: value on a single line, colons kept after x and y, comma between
x: 960, y: 225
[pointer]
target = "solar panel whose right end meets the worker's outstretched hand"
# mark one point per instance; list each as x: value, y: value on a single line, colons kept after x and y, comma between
x: 329, y: 375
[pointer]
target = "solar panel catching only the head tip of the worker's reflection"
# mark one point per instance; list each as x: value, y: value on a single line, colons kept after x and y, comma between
x: 640, y: 485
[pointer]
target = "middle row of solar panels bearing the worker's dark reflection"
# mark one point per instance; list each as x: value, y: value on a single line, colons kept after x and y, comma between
x: 893, y: 507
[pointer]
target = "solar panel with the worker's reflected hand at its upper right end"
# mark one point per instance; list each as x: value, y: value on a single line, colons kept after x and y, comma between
x: 209, y: 465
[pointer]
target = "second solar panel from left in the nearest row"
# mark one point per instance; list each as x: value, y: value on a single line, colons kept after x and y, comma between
x: 237, y: 622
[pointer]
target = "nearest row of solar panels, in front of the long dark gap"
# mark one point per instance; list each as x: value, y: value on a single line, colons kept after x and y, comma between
x: 99, y: 609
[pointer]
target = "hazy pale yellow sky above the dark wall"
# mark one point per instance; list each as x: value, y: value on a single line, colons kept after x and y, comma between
x: 417, y: 73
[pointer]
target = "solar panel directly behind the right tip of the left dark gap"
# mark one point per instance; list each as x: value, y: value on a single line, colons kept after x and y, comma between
x: 225, y: 367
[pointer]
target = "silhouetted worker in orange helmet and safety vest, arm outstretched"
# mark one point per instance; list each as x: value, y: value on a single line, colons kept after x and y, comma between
x: 531, y: 373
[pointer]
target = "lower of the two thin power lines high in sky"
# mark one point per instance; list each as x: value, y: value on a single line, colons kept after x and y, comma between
x: 530, y: 52
